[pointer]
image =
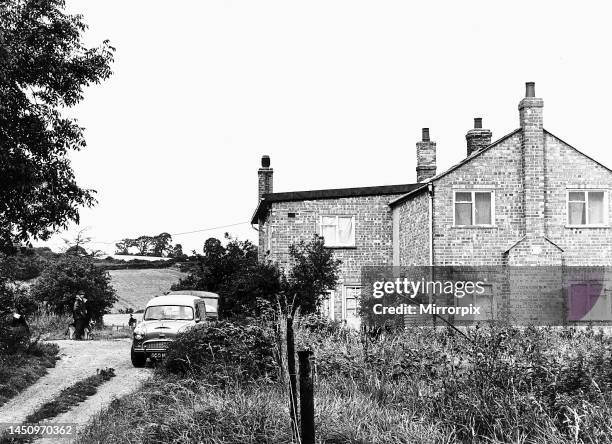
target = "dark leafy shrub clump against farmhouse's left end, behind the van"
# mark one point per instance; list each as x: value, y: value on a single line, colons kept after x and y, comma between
x: 245, y: 283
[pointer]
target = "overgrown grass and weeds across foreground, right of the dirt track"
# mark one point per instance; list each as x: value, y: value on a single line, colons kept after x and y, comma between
x: 422, y: 385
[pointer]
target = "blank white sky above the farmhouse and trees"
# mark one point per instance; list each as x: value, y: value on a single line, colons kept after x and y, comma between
x: 335, y: 91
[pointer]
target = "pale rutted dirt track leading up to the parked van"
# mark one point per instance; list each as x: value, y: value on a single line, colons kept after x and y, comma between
x: 79, y: 359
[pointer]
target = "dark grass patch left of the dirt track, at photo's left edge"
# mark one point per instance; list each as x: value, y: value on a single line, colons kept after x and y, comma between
x: 19, y: 371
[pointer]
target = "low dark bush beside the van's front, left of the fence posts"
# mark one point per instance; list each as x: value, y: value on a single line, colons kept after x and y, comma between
x: 223, y: 352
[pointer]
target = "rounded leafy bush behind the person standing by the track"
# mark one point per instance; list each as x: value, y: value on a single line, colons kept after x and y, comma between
x: 65, y: 278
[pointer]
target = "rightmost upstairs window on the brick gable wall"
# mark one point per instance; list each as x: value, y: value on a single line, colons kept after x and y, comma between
x: 587, y: 208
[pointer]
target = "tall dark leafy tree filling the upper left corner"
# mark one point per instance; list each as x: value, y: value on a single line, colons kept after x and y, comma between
x: 44, y: 68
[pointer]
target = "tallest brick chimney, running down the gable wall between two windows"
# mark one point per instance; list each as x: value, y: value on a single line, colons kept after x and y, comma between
x: 532, y: 151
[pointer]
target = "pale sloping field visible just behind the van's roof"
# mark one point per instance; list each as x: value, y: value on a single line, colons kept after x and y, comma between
x: 136, y: 287
